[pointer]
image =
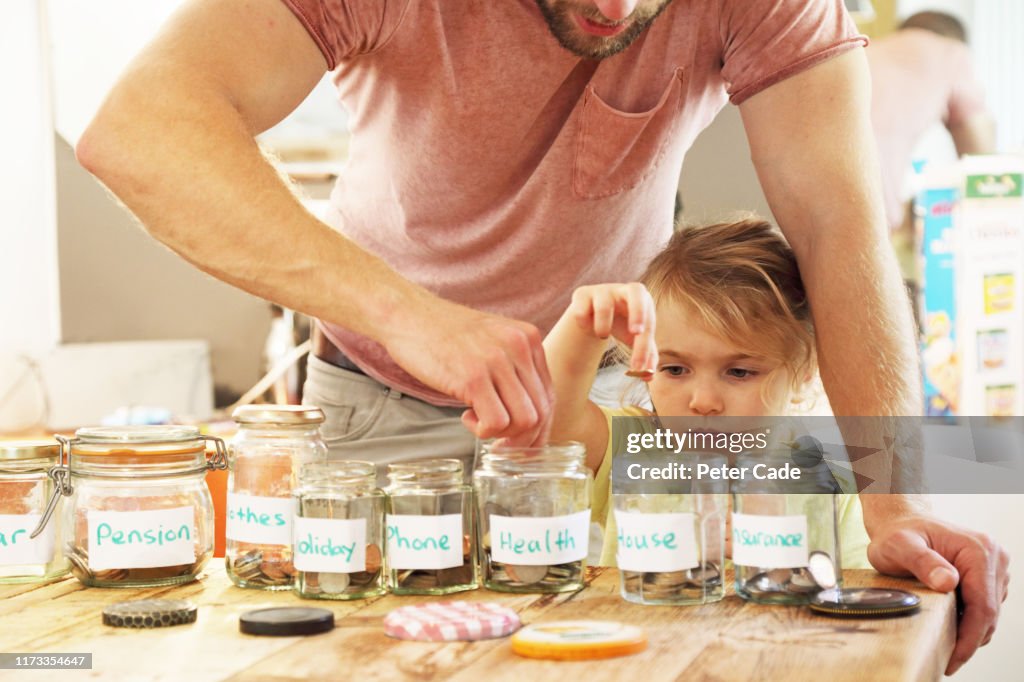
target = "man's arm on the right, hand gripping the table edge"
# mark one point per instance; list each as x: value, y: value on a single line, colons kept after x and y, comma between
x: 813, y: 145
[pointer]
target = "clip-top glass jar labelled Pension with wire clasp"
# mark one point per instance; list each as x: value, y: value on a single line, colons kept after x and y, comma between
x: 140, y: 514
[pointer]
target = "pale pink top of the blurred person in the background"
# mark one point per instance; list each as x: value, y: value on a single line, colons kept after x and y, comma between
x: 919, y: 79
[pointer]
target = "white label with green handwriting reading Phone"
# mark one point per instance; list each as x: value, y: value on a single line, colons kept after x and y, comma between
x: 424, y: 542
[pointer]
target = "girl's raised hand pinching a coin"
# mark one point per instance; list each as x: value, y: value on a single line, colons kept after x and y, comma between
x: 625, y: 312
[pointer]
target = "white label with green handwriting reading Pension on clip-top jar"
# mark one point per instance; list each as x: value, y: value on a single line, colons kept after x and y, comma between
x: 142, y: 539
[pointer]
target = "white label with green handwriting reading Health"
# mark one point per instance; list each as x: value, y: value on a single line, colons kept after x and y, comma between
x: 540, y: 541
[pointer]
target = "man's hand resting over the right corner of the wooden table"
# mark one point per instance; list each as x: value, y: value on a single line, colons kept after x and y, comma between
x: 943, y: 556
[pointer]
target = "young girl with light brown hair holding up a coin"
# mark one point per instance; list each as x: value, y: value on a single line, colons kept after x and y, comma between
x: 734, y: 338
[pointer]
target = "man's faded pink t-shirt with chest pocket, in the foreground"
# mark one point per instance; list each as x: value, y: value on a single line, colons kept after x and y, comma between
x: 499, y: 170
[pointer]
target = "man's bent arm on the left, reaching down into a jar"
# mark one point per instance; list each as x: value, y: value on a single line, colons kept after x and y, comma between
x: 175, y: 142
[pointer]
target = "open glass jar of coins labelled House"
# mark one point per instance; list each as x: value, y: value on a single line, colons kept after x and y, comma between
x: 671, y: 542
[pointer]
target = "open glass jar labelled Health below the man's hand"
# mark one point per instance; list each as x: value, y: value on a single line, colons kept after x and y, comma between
x: 535, y: 517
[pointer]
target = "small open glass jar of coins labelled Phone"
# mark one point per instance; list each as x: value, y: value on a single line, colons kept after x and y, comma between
x: 431, y: 535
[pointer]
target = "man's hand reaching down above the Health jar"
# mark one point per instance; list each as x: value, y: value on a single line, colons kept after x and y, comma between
x: 493, y: 364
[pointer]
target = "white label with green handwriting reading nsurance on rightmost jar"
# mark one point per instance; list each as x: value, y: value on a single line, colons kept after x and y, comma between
x: 770, y: 542
